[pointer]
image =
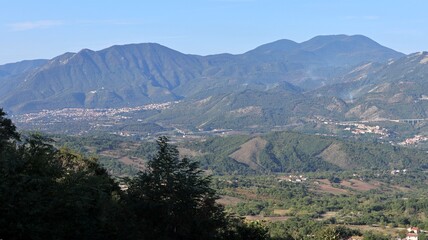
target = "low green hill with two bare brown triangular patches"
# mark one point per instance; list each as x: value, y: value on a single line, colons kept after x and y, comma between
x: 294, y: 152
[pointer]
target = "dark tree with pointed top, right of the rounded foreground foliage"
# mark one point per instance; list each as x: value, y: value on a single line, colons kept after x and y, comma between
x: 173, y: 199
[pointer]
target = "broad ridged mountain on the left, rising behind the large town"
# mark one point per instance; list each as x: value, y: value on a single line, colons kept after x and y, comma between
x: 118, y: 76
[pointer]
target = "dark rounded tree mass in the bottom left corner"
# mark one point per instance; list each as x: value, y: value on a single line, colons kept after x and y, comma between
x: 47, y: 193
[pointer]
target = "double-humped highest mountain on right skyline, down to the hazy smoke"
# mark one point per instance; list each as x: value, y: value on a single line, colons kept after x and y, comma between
x: 321, y: 60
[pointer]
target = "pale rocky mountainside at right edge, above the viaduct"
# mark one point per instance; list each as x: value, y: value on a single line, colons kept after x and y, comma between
x: 395, y: 90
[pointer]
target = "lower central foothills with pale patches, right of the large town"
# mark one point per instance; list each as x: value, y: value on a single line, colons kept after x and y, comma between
x: 250, y: 109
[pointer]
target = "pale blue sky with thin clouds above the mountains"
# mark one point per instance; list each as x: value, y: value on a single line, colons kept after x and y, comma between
x: 43, y: 29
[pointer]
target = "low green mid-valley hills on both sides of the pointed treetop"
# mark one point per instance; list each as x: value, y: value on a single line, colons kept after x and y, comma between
x: 277, y: 152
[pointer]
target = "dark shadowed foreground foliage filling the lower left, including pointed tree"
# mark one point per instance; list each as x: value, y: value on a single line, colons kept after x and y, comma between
x: 49, y: 193
